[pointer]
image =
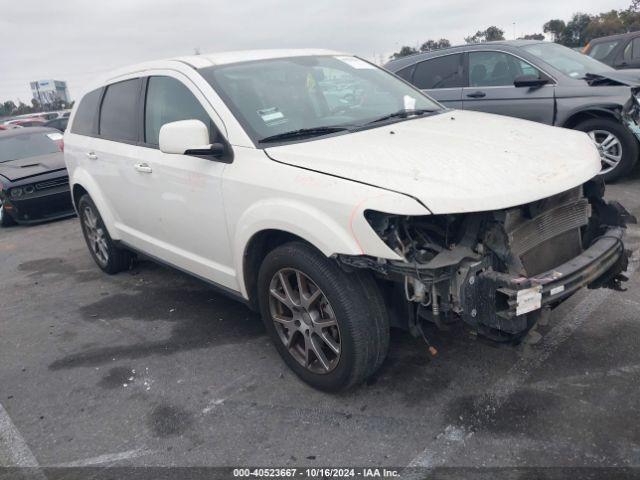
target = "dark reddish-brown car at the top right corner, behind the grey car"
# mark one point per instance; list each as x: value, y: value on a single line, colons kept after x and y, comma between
x: 618, y: 51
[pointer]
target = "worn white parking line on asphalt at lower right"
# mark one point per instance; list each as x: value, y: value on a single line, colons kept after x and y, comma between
x: 452, y: 439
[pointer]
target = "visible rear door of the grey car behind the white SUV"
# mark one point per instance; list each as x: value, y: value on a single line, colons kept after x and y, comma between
x: 441, y: 78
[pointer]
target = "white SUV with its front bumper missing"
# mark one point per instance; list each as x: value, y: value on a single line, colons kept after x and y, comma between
x: 337, y: 220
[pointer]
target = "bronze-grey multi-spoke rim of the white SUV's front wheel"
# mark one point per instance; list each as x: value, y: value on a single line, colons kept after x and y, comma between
x: 304, y: 320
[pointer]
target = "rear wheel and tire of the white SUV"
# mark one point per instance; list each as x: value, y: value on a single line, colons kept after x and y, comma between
x: 107, y: 256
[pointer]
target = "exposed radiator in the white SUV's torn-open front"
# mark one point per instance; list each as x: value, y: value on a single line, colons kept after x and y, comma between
x: 545, y: 234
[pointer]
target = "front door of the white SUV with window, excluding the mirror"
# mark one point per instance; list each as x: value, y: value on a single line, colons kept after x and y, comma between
x: 180, y: 196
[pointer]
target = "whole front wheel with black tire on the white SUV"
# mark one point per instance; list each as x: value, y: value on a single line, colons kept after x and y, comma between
x: 349, y: 303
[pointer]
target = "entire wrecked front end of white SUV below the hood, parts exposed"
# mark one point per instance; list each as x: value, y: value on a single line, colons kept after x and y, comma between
x: 498, y: 270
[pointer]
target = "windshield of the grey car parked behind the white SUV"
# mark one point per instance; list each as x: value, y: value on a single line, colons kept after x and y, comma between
x: 569, y: 62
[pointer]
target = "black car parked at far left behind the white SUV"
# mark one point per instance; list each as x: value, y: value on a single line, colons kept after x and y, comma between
x: 34, y: 185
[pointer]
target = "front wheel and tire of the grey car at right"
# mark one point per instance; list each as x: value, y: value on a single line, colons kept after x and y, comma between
x: 599, y: 129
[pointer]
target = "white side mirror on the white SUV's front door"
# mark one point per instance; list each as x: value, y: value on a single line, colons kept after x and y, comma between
x: 188, y: 137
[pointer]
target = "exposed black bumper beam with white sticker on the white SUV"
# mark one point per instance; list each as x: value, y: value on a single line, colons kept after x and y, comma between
x: 495, y: 301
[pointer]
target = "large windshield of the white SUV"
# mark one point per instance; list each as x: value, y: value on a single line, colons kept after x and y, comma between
x: 277, y: 96
